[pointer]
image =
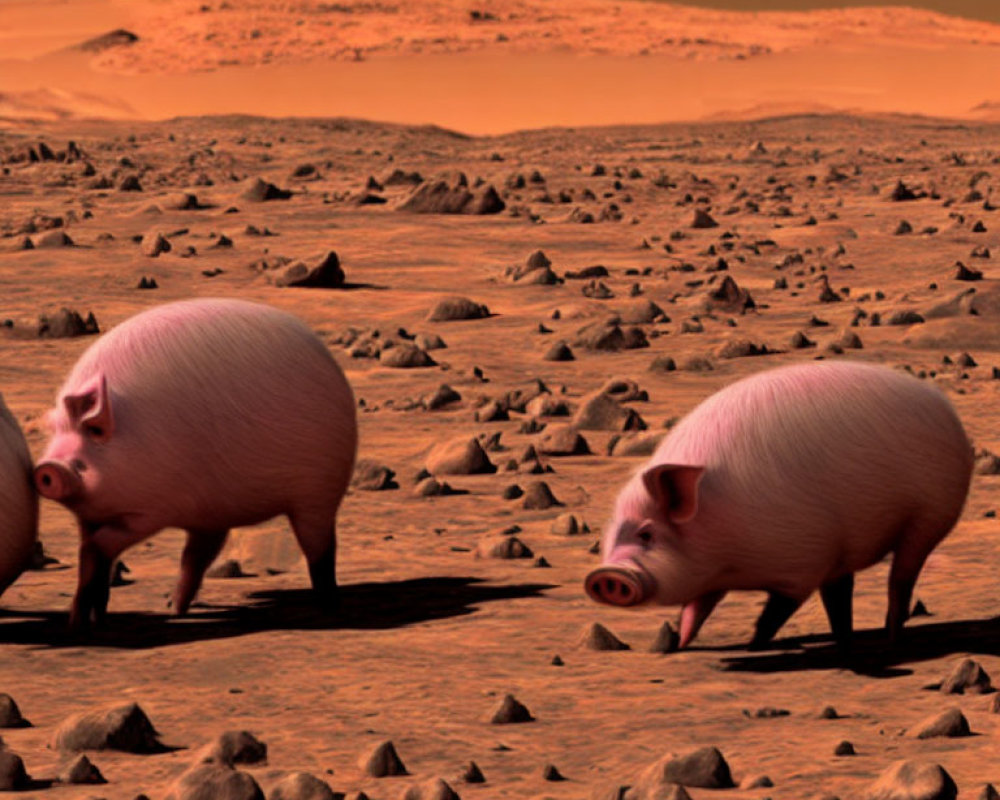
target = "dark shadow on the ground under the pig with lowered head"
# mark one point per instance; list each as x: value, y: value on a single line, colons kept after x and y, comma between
x: 871, y: 654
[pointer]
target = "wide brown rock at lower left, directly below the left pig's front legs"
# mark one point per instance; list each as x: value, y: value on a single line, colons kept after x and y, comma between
x: 122, y: 727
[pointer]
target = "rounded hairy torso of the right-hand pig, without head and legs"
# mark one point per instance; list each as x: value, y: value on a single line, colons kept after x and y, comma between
x: 815, y: 470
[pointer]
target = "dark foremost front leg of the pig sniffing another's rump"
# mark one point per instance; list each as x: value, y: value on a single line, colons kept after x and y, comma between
x: 100, y: 545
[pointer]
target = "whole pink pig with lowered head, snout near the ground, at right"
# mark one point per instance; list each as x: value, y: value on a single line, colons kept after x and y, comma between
x: 789, y: 481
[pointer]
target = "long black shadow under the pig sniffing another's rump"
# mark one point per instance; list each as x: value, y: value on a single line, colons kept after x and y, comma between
x: 363, y: 606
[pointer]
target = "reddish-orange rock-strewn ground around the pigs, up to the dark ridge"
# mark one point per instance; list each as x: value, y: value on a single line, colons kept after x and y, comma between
x: 673, y: 260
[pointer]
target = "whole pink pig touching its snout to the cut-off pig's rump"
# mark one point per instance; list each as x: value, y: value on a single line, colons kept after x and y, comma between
x: 203, y: 415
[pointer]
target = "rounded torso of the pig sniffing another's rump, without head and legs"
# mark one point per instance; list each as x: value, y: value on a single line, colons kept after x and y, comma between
x: 237, y: 404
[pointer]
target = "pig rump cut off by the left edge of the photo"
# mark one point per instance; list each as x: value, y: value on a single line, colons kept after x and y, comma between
x: 18, y: 501
